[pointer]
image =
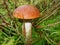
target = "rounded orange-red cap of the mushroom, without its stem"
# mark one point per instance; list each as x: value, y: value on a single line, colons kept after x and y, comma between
x: 26, y: 12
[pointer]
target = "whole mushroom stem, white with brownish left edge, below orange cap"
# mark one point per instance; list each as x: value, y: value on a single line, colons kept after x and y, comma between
x: 27, y: 31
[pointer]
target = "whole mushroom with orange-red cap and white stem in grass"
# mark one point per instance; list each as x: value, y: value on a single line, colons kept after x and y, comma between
x: 26, y: 13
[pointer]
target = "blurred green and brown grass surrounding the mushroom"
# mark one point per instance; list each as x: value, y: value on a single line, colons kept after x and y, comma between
x: 45, y: 30
